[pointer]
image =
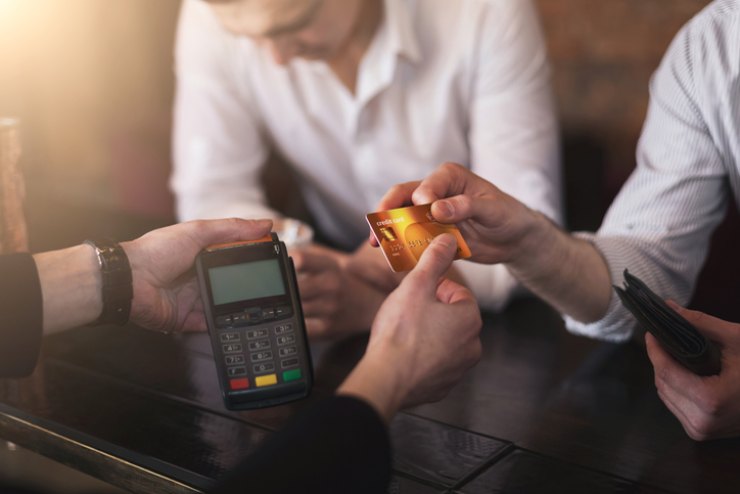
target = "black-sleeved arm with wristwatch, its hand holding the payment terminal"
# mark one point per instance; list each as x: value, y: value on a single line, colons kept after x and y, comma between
x: 58, y: 290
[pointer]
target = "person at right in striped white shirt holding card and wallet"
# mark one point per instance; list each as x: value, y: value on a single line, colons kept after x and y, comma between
x: 659, y: 226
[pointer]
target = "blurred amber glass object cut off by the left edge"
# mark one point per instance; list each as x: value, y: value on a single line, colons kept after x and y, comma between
x: 13, y: 233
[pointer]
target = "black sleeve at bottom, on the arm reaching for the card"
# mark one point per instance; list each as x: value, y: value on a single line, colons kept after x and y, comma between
x: 340, y: 445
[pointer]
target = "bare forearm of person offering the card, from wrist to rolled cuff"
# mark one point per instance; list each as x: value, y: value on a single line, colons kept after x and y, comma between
x: 567, y: 272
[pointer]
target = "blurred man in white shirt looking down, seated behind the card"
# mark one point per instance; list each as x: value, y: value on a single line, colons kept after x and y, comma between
x: 358, y: 95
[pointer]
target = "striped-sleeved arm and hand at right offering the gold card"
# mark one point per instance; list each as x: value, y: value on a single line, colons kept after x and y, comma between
x: 658, y: 227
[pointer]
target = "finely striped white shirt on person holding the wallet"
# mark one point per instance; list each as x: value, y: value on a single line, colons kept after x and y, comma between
x: 688, y: 168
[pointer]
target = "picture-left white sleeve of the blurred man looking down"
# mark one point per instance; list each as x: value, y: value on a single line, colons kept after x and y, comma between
x: 218, y: 149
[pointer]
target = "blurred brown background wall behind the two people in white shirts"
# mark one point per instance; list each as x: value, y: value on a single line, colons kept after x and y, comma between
x: 92, y: 83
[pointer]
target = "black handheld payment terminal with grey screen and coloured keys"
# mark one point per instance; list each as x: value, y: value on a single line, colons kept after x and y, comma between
x: 255, y: 322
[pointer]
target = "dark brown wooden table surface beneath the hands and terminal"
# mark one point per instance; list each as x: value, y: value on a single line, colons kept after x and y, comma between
x: 544, y: 411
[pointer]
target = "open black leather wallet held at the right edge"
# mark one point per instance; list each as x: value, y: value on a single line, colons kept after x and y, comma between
x: 677, y: 336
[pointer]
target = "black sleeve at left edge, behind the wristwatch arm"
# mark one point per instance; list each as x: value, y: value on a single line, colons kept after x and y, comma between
x: 20, y: 315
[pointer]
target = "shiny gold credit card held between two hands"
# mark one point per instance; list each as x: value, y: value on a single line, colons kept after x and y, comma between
x: 405, y: 233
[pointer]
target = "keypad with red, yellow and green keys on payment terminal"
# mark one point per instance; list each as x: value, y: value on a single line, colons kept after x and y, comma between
x: 270, y: 349
